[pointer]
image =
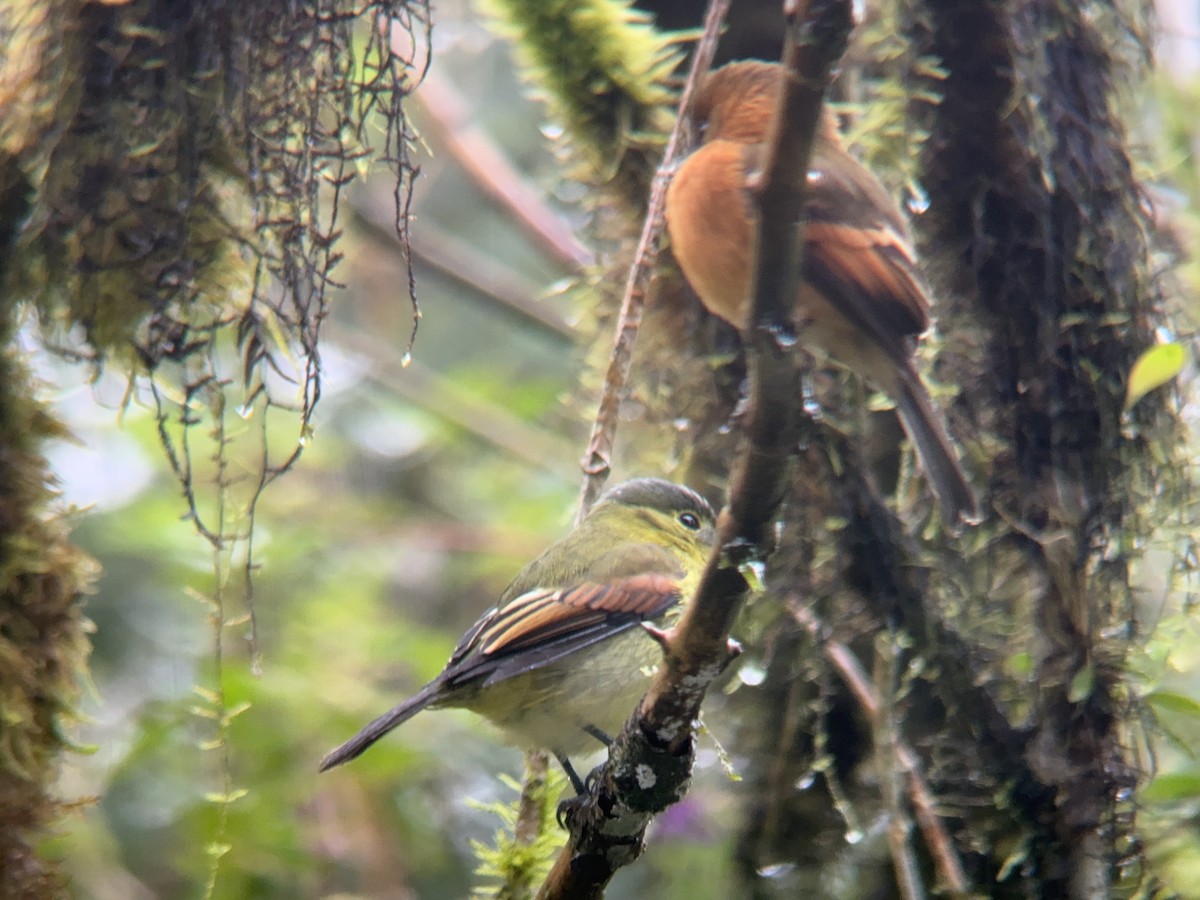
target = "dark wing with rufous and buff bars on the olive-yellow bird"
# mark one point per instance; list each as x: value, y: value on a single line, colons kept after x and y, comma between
x: 547, y: 625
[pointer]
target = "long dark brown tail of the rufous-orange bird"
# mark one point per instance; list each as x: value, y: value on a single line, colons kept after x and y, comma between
x: 938, y: 457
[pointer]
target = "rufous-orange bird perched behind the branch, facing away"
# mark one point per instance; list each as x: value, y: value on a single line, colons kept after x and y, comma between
x: 863, y: 302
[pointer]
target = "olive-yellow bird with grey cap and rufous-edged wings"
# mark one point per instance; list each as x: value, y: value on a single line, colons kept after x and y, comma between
x: 562, y: 659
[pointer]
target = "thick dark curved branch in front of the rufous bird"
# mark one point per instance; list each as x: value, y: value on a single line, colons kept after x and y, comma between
x: 650, y: 764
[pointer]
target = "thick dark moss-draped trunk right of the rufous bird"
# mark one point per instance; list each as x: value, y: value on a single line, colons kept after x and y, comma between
x: 1037, y: 209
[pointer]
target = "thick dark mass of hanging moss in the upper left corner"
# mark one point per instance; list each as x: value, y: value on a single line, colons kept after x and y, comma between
x: 179, y: 154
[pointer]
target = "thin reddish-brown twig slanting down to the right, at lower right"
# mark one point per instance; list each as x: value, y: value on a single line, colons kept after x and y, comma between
x: 938, y: 842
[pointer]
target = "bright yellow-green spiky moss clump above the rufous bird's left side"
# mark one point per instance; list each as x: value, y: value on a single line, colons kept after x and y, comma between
x: 603, y: 68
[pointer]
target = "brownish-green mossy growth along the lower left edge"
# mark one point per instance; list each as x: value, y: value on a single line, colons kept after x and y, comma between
x: 44, y: 647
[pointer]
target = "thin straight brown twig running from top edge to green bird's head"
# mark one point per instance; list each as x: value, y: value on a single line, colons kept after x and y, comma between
x: 598, y: 459
